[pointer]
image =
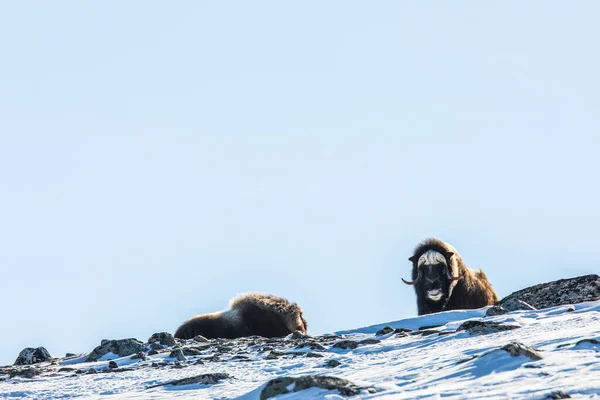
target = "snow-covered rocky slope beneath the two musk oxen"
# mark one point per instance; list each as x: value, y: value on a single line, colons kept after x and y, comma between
x: 436, y: 361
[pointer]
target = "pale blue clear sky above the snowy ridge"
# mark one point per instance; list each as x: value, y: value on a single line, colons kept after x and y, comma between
x: 158, y: 158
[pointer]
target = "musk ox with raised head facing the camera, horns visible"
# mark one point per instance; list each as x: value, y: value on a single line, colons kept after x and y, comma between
x: 443, y: 282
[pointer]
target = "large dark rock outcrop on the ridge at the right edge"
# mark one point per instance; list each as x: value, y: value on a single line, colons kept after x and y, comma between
x: 558, y: 293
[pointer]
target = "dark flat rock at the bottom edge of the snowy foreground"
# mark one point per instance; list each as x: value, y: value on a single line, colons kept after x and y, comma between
x: 279, y: 386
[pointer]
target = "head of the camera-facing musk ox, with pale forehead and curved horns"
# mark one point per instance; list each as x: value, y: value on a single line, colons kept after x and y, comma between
x: 433, y: 276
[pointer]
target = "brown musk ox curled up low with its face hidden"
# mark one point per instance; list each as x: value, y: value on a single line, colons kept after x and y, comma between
x: 249, y: 314
